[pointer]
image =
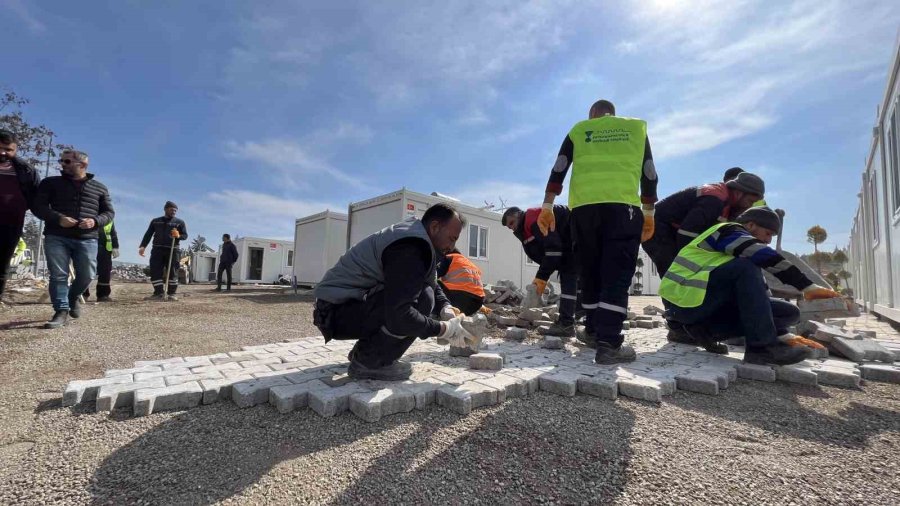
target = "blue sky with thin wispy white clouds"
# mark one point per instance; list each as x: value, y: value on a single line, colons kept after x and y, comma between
x: 249, y: 115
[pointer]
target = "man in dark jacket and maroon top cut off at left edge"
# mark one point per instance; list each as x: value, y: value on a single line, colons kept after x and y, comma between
x: 18, y: 184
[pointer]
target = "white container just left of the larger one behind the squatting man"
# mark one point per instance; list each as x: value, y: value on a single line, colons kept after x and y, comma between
x: 319, y: 241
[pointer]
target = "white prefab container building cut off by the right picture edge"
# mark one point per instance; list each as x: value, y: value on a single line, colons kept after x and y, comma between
x: 874, y: 249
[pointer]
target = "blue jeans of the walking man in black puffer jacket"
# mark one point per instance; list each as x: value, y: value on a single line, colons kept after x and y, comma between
x: 82, y: 253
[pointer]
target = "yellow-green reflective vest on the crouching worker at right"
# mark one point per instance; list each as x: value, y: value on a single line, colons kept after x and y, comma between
x: 684, y: 284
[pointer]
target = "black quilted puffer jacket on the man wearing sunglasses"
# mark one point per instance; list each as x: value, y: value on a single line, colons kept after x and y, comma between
x: 59, y: 196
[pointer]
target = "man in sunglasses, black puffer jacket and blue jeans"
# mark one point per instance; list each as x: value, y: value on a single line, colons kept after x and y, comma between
x: 74, y: 206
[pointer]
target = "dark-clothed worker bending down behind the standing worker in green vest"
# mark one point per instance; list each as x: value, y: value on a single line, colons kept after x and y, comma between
x: 552, y: 252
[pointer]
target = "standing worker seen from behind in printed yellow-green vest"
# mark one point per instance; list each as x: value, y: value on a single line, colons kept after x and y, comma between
x: 611, y: 163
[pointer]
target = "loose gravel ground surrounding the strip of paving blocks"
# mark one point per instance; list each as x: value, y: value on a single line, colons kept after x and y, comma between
x: 755, y: 443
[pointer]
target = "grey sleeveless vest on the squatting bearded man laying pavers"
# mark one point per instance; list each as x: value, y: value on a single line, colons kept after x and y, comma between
x: 359, y: 272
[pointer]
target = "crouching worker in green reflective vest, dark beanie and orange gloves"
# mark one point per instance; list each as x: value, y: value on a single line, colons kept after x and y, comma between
x: 716, y: 290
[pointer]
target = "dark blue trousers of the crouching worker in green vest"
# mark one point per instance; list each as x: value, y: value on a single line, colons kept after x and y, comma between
x: 737, y: 304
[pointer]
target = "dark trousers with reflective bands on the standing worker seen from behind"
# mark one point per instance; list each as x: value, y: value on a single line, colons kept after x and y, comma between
x: 606, y: 238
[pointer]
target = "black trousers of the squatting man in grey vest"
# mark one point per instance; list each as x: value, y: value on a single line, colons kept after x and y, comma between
x: 364, y: 320
